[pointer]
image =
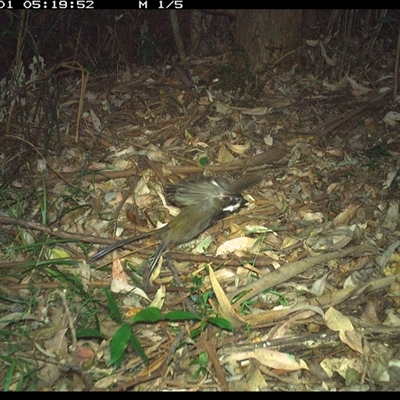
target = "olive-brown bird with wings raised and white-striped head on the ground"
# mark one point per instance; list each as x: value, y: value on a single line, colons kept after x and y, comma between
x: 204, y: 201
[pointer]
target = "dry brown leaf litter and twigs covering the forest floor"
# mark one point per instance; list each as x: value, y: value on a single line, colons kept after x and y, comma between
x: 306, y: 274
